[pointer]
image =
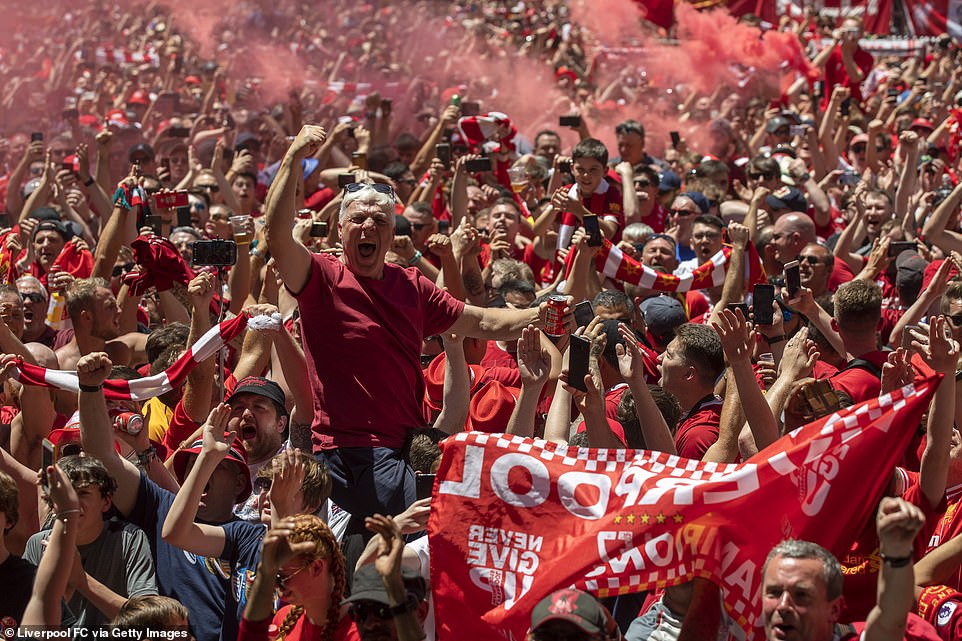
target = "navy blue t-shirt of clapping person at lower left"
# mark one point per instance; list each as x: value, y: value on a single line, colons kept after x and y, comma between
x: 213, y: 590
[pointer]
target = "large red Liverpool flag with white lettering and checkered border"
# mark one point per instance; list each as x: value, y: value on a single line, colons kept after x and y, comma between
x: 513, y: 519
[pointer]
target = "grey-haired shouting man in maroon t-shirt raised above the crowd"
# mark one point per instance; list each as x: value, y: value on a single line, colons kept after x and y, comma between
x: 364, y: 322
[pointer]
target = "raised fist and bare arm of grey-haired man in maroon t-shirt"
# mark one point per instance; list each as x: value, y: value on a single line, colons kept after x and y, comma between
x: 291, y: 259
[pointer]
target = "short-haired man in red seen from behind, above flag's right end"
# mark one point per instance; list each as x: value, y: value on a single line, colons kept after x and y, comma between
x: 858, y: 309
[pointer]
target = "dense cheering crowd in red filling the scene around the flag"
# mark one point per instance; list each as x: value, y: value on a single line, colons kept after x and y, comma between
x: 257, y: 267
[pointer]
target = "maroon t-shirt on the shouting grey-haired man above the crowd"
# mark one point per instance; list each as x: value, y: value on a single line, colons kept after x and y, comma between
x: 368, y: 384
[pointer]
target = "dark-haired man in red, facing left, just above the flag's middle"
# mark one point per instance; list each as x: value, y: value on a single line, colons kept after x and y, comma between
x: 689, y: 367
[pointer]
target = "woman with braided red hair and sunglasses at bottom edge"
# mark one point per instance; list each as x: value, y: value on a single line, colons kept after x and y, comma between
x: 301, y: 558
